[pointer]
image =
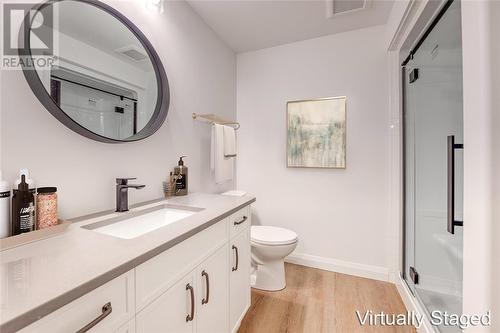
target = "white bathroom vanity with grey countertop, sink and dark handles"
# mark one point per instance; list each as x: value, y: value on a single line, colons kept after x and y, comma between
x: 185, y: 267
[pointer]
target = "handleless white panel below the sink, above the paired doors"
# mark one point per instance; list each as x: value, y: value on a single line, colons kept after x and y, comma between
x: 156, y: 275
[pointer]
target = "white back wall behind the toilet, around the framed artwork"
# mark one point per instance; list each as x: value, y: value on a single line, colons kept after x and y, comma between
x: 339, y: 215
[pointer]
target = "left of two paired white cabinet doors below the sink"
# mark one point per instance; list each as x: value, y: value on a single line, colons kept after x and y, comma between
x: 171, y: 312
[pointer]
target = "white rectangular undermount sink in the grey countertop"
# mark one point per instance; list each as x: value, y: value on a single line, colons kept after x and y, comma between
x: 137, y: 223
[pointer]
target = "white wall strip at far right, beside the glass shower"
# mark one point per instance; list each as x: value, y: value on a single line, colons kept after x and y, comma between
x: 481, y: 52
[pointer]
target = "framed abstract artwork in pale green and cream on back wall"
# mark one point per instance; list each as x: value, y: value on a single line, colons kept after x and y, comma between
x: 316, y: 133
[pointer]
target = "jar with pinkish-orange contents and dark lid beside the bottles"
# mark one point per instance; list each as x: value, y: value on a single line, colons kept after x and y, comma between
x: 46, y: 207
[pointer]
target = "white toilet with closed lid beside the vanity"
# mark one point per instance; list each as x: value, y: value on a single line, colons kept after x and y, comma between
x: 270, y: 246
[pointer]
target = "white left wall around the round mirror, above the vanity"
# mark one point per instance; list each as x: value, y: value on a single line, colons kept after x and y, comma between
x: 201, y: 72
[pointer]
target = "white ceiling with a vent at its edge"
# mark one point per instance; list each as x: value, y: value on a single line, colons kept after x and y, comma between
x: 247, y: 25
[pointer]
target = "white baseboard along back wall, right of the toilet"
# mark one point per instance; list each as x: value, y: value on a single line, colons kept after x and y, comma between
x: 340, y: 266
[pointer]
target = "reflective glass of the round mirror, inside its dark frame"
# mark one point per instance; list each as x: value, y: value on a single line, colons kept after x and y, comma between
x: 102, y: 76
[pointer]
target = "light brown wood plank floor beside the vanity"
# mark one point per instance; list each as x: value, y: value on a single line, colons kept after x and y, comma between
x: 321, y: 301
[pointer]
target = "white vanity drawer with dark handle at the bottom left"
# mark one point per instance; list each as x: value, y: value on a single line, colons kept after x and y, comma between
x: 91, y: 308
